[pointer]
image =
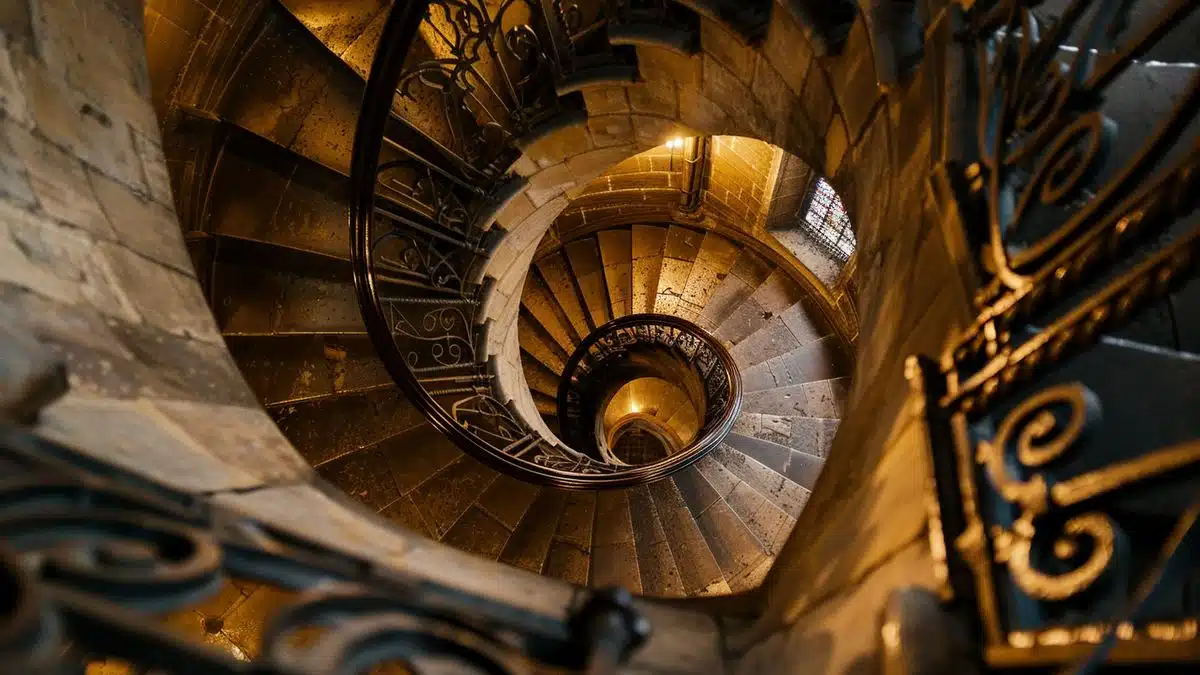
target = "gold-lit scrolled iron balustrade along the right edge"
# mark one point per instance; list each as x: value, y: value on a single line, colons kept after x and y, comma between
x: 1066, y: 463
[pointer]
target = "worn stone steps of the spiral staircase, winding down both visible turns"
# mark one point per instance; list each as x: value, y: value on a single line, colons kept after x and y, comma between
x: 271, y: 240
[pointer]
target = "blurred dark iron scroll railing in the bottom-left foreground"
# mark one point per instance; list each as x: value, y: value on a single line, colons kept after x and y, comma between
x: 92, y: 557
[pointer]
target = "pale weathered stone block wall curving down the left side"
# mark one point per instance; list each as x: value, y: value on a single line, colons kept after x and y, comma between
x: 93, y: 264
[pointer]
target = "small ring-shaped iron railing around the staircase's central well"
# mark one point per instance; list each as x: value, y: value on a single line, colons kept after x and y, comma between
x: 610, y: 345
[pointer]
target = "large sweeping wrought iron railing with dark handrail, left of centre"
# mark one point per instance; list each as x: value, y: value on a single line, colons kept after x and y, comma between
x: 425, y: 192
